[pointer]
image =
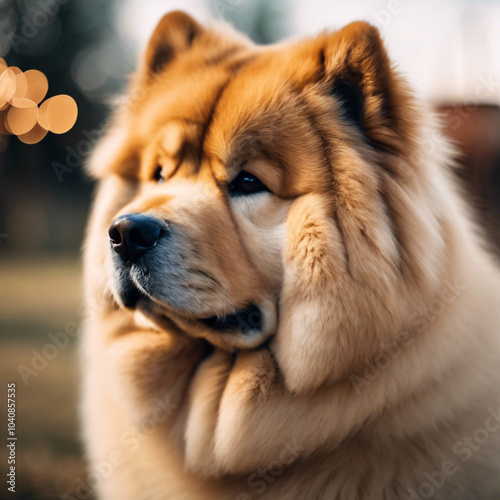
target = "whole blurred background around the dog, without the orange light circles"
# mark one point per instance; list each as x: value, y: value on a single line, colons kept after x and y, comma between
x: 449, y: 51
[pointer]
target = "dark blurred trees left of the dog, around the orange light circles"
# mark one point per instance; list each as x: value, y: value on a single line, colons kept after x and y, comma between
x: 74, y: 44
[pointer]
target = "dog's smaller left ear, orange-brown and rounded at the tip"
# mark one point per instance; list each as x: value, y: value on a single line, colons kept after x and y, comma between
x: 173, y: 35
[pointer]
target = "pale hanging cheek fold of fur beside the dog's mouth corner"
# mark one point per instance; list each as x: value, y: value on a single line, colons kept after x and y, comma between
x: 316, y: 284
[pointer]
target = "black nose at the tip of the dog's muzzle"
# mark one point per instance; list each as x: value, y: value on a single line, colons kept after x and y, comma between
x: 132, y: 234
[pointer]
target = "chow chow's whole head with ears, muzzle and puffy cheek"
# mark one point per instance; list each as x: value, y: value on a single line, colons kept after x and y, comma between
x: 271, y: 195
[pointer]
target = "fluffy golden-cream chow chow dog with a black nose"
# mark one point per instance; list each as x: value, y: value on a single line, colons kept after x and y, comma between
x: 287, y: 298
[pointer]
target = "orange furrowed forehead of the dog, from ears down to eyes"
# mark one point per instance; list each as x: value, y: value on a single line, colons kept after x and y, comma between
x: 232, y: 113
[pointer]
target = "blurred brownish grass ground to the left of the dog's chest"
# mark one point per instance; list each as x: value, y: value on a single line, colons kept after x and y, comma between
x: 39, y: 297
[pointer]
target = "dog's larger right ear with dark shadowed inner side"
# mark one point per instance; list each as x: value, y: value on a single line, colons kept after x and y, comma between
x: 359, y: 76
